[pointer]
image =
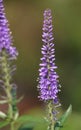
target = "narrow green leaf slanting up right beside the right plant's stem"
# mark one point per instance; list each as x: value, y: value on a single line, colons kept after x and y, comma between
x: 63, y: 118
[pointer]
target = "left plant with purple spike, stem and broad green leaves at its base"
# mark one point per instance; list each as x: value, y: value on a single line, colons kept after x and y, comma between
x: 8, y: 54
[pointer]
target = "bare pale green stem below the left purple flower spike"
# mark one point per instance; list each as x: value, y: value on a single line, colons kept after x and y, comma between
x: 8, y: 88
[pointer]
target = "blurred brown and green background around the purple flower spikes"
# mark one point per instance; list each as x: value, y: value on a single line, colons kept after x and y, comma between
x: 26, y: 18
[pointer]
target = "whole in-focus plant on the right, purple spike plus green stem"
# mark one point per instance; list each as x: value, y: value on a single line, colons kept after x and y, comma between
x: 48, y: 79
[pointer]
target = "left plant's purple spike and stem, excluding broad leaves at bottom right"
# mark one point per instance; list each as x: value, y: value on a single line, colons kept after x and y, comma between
x: 8, y: 54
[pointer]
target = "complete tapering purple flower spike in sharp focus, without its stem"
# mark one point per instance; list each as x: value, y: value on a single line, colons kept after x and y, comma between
x: 48, y: 78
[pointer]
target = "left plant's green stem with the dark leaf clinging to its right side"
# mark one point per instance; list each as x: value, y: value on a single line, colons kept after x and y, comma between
x: 9, y: 88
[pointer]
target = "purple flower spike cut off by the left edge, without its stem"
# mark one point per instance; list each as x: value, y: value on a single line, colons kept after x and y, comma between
x: 5, y: 34
